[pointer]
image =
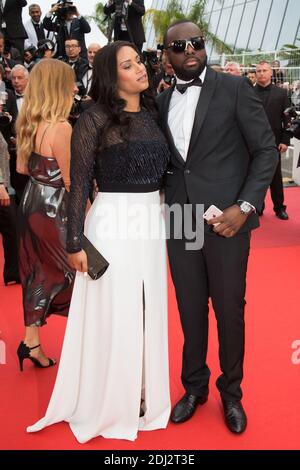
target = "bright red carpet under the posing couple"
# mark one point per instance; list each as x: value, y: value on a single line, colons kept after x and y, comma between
x: 272, y: 381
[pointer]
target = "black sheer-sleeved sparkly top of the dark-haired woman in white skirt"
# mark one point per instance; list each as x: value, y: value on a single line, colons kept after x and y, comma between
x: 135, y: 165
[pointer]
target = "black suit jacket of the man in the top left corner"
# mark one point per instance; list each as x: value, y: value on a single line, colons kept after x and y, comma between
x: 12, y: 15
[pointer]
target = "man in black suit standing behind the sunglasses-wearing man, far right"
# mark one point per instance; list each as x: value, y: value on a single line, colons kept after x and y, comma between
x: 275, y: 101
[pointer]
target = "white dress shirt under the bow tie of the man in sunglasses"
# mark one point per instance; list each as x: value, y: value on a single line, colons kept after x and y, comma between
x: 181, y: 117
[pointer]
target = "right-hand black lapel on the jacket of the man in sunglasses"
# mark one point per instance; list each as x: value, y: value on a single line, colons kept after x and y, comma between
x: 206, y: 95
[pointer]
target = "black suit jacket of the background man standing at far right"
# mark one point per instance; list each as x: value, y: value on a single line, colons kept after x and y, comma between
x: 275, y: 106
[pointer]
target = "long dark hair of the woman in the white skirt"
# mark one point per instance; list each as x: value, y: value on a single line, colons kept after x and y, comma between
x: 104, y: 91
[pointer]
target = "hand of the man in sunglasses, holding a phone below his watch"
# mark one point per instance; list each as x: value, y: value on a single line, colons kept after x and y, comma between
x: 229, y: 222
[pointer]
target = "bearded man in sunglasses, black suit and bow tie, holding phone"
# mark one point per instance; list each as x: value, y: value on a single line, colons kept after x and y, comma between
x: 223, y: 153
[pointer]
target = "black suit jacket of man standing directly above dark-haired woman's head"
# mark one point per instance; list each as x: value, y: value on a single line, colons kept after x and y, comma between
x: 134, y: 21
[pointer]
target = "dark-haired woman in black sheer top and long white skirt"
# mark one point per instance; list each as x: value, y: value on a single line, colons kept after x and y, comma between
x: 113, y: 378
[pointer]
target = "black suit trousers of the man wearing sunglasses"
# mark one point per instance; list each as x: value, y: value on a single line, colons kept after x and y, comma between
x: 218, y: 271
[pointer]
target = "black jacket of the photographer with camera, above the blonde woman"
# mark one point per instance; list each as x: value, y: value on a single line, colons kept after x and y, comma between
x: 79, y: 27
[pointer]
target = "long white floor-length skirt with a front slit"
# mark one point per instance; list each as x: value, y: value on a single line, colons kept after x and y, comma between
x: 115, y: 350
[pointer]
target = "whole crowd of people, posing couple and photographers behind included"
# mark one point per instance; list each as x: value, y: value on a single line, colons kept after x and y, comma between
x: 209, y: 138
